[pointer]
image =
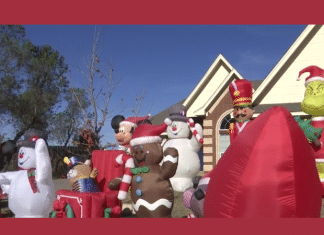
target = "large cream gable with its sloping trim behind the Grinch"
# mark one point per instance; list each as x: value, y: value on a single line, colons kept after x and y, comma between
x: 289, y: 89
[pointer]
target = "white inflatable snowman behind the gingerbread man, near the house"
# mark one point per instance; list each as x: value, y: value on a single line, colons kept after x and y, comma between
x: 185, y: 136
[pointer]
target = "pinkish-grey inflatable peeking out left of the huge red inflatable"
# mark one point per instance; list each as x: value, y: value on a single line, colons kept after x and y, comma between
x: 194, y: 198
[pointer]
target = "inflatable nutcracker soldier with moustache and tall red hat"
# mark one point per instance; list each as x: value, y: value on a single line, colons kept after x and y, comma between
x: 241, y: 94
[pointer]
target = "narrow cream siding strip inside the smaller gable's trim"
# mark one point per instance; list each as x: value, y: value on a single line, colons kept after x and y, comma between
x: 216, y: 80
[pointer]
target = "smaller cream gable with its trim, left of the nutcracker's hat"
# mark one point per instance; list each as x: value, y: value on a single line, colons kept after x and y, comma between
x: 215, y: 81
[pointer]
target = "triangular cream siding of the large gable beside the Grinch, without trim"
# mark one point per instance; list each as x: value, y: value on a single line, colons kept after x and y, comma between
x: 288, y: 89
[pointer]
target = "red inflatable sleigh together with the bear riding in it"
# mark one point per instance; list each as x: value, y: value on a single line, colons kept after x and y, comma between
x: 90, y: 197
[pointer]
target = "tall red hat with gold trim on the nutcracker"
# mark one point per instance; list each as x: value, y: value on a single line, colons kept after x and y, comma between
x: 241, y: 92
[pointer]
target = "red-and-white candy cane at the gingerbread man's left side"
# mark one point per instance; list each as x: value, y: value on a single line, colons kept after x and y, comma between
x: 127, y: 177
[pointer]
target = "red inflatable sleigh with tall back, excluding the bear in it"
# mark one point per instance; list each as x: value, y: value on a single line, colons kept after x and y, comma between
x: 105, y: 204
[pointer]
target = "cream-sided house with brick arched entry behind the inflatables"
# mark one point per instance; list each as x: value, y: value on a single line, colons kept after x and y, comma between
x: 210, y: 102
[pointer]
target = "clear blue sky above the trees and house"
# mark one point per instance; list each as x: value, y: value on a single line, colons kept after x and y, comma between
x: 167, y: 61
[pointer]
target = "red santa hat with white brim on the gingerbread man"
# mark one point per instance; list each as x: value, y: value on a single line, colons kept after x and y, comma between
x: 147, y: 133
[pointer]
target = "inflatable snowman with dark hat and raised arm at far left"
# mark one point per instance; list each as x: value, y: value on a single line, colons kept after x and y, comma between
x: 31, y: 191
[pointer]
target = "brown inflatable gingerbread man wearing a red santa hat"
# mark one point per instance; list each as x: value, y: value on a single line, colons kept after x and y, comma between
x: 151, y: 190
